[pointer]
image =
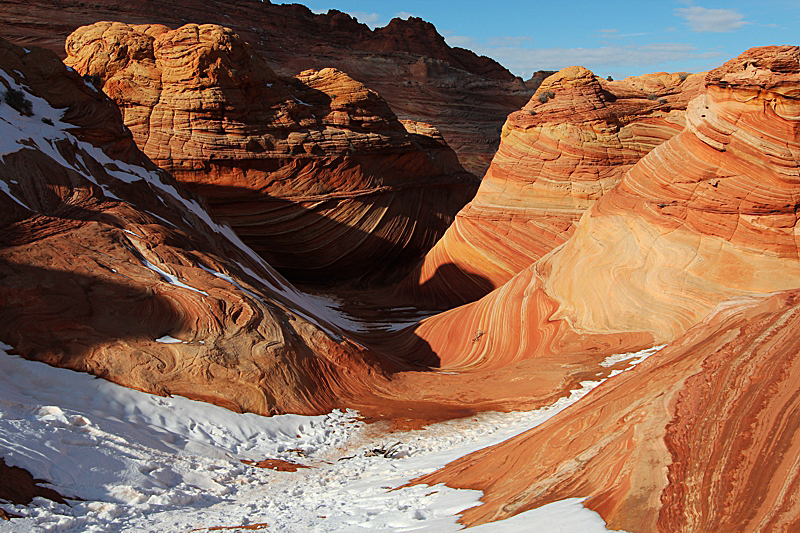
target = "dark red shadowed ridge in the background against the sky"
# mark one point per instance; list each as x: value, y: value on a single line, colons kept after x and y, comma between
x: 465, y: 96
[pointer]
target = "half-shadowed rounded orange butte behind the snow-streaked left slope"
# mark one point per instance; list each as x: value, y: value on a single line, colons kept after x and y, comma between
x: 315, y: 172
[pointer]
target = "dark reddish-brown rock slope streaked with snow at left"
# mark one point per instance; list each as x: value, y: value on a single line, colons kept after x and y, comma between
x: 108, y: 266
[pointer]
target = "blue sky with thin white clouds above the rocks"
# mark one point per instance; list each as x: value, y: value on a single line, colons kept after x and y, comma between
x: 619, y: 38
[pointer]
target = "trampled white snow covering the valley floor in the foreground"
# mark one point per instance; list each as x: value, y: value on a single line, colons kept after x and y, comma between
x: 150, y: 464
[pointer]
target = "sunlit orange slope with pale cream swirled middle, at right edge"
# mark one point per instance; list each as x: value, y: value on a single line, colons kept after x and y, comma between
x: 707, y: 216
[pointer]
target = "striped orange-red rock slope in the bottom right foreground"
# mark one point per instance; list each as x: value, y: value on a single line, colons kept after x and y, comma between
x: 700, y: 437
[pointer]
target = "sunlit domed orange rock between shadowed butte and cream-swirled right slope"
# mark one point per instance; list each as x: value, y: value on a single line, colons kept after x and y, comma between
x: 569, y: 145
